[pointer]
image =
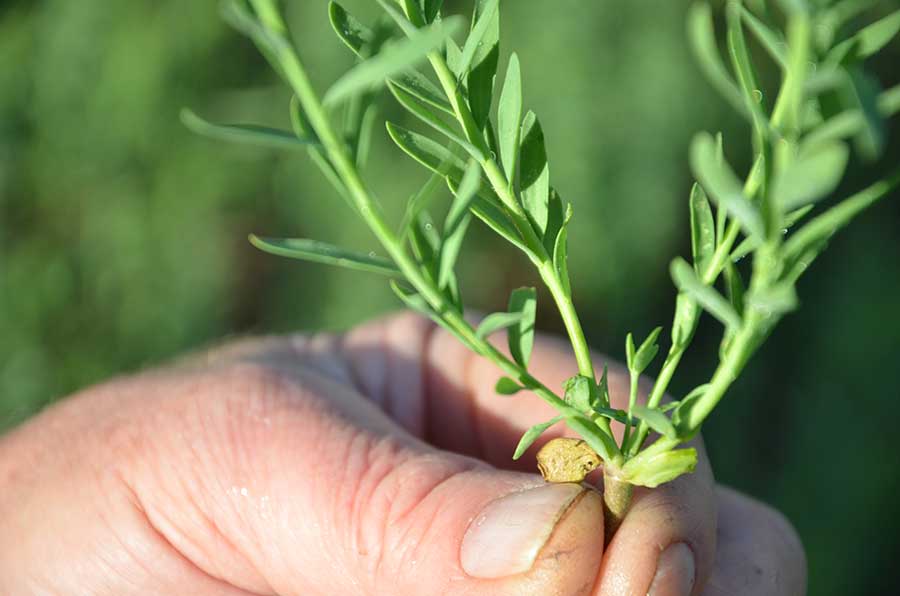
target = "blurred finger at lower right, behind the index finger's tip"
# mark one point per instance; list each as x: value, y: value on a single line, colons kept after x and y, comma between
x: 759, y: 552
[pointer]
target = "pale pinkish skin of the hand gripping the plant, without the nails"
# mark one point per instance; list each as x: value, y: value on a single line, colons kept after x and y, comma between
x: 341, y: 464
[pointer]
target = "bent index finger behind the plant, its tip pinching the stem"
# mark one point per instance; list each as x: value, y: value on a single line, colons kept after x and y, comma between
x: 463, y: 413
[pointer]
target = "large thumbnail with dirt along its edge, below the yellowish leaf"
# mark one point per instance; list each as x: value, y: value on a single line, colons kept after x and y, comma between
x: 508, y: 534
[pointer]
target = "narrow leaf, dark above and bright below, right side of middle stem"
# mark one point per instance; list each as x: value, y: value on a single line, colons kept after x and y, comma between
x: 534, y: 176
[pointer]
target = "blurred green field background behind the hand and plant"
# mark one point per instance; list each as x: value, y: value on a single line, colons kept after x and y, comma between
x: 123, y: 237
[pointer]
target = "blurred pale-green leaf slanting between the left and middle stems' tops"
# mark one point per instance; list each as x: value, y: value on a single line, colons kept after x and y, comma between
x: 392, y: 60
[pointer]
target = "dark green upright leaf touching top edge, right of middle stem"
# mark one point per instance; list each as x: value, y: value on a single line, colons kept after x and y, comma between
x: 482, y: 70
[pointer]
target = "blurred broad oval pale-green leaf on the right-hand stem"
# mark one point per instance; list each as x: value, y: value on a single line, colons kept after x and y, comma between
x: 812, y: 176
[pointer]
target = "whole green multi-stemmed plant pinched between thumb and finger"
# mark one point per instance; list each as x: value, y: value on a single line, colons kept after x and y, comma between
x: 496, y: 166
